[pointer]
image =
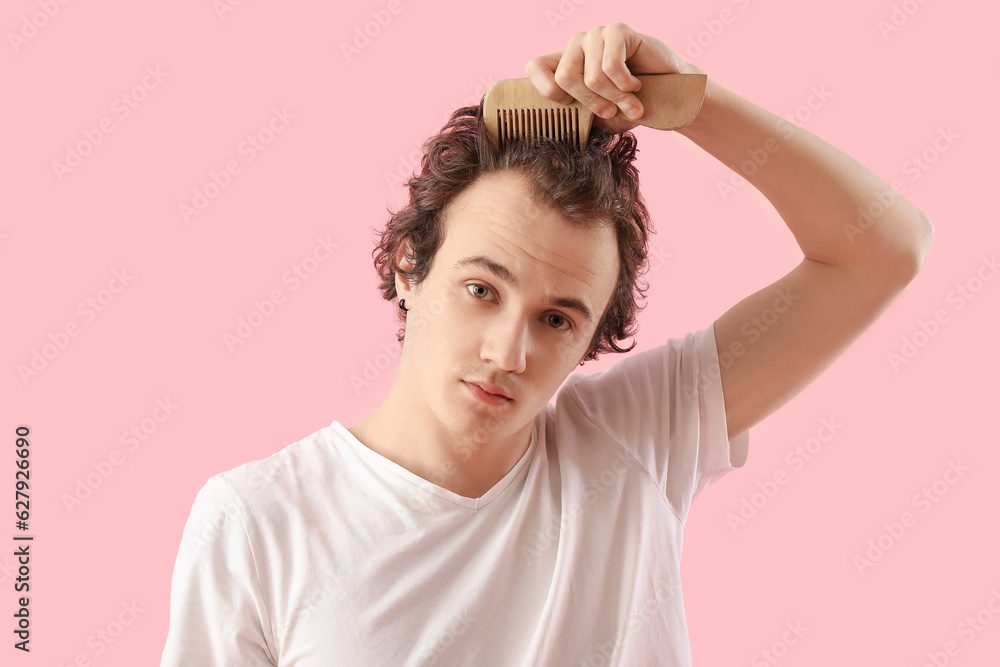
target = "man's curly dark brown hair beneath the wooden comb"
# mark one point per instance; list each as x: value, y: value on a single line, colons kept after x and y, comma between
x: 598, y: 185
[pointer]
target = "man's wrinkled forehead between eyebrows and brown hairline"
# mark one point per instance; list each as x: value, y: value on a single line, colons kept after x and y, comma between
x: 496, y: 217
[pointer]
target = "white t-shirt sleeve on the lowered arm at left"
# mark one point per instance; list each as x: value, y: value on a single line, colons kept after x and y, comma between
x: 217, y: 613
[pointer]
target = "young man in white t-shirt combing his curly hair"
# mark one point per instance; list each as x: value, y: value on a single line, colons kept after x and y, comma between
x: 468, y: 520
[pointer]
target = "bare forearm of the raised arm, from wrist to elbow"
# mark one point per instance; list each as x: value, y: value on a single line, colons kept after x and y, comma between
x: 839, y: 211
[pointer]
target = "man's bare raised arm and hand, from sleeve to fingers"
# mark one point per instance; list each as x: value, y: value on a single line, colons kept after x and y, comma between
x: 862, y: 242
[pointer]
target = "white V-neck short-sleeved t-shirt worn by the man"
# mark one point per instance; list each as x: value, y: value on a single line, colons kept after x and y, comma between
x: 327, y: 553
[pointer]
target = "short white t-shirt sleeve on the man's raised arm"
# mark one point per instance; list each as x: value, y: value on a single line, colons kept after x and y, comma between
x: 665, y: 406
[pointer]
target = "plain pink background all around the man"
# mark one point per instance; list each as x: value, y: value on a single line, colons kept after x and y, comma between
x: 329, y: 173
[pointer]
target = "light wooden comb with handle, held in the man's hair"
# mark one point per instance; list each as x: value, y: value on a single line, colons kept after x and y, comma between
x: 514, y: 107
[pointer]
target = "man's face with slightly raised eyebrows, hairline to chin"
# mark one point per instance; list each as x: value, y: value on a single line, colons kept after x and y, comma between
x: 523, y: 333
